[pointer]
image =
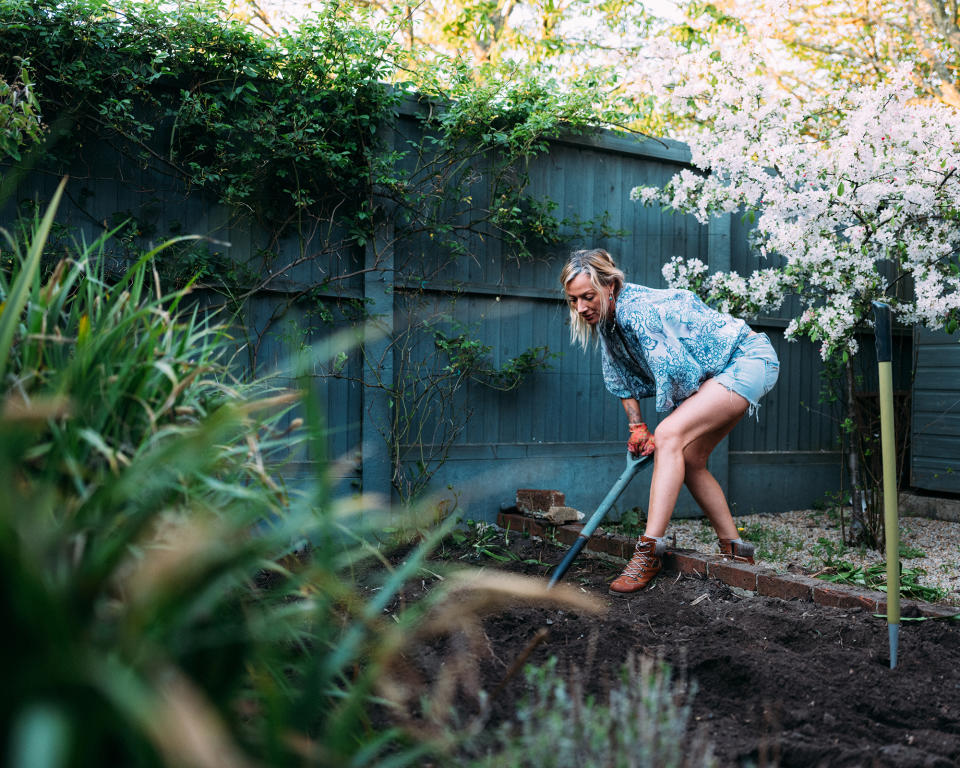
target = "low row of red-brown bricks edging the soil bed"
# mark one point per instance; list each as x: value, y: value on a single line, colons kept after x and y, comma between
x: 756, y: 578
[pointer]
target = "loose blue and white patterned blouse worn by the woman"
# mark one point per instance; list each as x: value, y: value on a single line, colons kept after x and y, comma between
x: 665, y: 342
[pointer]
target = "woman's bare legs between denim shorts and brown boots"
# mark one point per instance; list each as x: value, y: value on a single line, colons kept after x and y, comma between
x: 686, y: 438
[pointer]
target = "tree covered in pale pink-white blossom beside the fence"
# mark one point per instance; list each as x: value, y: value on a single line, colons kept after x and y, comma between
x: 854, y: 200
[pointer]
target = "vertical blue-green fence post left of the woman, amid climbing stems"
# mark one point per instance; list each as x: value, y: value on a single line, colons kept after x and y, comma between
x: 377, y: 351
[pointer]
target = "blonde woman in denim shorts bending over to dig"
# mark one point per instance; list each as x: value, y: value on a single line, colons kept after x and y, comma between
x: 705, y: 368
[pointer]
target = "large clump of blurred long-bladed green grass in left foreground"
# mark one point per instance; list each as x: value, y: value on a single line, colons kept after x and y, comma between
x: 166, y: 599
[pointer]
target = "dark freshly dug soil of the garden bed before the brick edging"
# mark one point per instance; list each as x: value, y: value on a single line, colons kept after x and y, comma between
x: 778, y: 682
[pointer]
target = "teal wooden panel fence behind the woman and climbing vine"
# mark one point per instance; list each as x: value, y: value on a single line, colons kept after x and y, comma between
x: 559, y: 428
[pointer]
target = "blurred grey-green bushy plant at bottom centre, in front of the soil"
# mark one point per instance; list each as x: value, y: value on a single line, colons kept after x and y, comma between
x: 641, y: 723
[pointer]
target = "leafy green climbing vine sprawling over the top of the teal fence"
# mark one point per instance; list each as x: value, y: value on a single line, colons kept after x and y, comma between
x: 298, y: 136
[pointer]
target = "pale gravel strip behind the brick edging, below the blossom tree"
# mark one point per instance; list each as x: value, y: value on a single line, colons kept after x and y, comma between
x: 803, y: 537
